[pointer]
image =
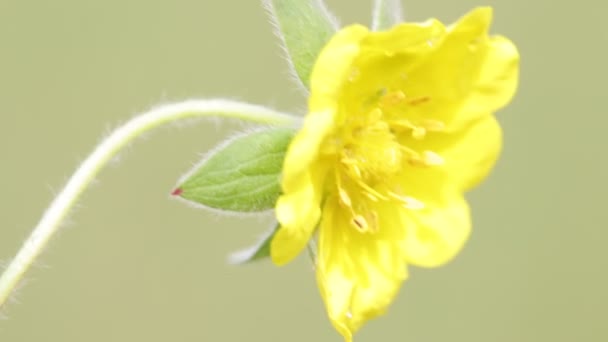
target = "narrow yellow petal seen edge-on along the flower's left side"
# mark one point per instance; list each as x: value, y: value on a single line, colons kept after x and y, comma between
x: 298, y: 210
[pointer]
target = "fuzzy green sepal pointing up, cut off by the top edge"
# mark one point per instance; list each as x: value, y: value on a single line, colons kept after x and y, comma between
x: 304, y: 26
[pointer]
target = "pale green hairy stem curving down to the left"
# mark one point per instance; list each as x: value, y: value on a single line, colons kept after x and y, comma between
x: 104, y: 152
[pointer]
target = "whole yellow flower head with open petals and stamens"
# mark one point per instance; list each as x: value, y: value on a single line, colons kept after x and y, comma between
x: 400, y: 125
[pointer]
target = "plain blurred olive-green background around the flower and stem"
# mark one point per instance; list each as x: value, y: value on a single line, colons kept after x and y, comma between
x: 133, y: 265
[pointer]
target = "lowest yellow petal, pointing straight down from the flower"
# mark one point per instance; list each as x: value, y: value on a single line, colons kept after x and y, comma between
x: 359, y: 274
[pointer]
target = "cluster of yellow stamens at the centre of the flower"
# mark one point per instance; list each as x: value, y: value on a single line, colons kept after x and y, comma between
x: 373, y: 150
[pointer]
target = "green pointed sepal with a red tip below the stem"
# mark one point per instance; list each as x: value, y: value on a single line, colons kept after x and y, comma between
x: 242, y: 175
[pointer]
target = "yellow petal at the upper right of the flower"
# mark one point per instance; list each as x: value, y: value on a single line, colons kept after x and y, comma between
x: 468, y: 75
